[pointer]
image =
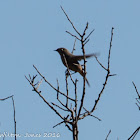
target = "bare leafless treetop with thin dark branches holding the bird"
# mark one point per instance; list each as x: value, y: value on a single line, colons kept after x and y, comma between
x: 73, y: 107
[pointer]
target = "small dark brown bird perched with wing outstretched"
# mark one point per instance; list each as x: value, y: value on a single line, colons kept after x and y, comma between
x: 71, y: 61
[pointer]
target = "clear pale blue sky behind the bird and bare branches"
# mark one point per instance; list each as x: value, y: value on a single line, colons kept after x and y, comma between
x: 29, y: 32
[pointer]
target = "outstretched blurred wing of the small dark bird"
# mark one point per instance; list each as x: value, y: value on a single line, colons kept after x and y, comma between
x: 80, y: 57
